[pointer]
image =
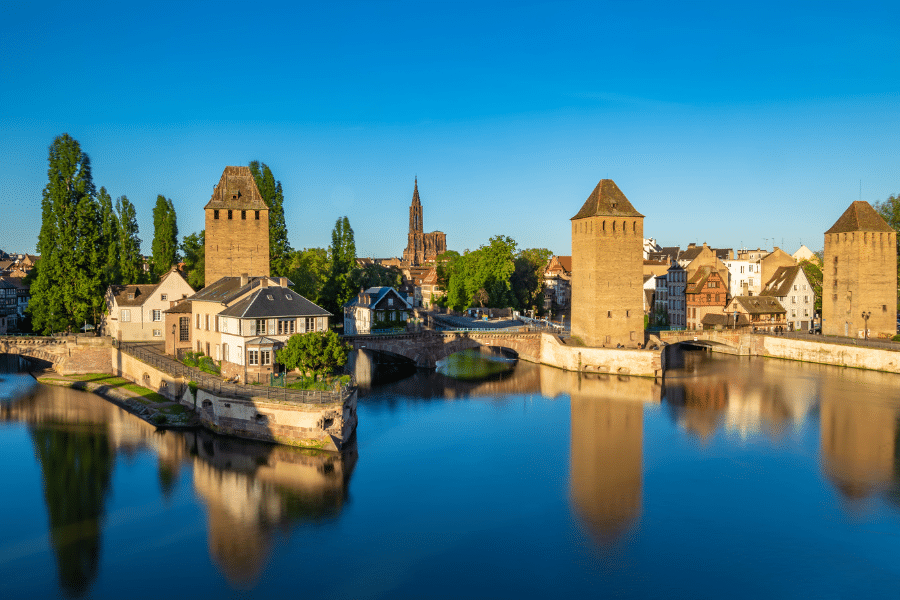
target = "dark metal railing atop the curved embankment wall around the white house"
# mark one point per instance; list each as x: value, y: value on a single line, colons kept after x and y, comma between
x: 218, y: 386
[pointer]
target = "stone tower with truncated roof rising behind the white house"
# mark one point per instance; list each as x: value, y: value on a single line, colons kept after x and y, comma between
x: 237, y: 228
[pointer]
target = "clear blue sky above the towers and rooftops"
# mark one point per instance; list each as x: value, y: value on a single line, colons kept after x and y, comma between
x: 750, y: 124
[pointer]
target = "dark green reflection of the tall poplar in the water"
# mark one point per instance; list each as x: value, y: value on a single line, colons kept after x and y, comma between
x: 77, y: 466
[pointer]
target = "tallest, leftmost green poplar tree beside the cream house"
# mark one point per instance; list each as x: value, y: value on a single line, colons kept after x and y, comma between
x: 64, y: 290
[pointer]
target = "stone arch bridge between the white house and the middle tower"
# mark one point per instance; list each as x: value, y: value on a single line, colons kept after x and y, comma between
x: 428, y: 347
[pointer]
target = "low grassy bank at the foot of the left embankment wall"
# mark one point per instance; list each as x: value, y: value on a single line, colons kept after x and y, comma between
x: 137, y: 400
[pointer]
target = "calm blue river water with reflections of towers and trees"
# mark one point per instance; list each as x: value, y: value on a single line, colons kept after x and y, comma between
x: 736, y: 478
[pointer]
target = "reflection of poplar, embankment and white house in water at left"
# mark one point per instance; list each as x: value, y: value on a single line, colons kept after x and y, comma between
x: 251, y: 490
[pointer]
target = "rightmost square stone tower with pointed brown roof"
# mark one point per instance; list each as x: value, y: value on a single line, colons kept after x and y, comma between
x: 860, y: 275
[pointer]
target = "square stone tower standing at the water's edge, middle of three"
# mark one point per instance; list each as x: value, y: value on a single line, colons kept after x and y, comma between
x: 607, y: 270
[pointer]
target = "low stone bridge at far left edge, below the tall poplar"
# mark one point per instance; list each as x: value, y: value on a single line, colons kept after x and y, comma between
x: 68, y: 354
